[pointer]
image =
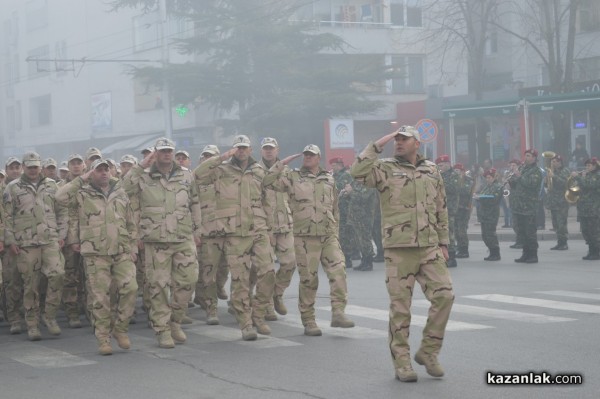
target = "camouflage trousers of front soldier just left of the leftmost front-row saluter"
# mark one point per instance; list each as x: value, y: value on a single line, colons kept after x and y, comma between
x: 32, y: 263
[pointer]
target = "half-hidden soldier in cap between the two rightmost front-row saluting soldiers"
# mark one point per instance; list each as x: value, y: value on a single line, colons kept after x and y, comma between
x: 281, y: 229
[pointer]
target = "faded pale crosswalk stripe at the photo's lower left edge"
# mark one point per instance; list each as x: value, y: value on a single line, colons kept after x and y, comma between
x: 39, y: 356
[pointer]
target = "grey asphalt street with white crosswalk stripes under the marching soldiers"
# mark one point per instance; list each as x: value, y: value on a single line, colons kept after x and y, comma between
x: 507, y: 318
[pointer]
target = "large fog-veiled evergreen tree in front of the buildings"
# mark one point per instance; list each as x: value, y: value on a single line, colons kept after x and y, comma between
x: 276, y: 75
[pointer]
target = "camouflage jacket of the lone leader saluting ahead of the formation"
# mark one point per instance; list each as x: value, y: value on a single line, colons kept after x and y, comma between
x: 413, y: 199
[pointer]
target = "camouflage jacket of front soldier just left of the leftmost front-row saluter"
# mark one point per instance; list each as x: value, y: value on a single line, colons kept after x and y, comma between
x: 32, y: 215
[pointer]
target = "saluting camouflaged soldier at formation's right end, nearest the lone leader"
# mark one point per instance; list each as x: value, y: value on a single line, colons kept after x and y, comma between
x: 314, y: 204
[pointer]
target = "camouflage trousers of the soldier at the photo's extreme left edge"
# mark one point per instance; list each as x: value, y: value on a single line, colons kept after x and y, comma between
x: 12, y: 294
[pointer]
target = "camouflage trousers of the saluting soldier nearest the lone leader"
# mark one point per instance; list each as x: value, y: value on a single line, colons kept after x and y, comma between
x: 310, y: 251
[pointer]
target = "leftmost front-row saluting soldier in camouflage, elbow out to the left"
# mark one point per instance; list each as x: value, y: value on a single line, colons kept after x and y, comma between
x: 105, y: 235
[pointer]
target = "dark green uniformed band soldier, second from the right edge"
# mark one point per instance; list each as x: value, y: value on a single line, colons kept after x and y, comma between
x: 556, y: 184
